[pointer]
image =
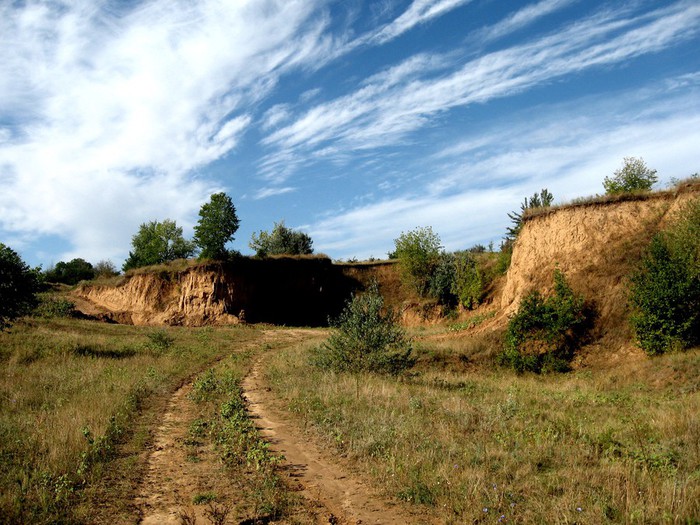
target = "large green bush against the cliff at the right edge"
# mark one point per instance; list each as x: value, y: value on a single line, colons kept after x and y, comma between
x: 665, y: 290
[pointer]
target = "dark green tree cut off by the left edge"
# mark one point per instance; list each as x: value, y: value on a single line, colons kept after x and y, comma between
x: 18, y: 286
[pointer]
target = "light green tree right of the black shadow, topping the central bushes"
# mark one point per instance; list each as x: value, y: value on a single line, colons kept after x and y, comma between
x: 418, y: 252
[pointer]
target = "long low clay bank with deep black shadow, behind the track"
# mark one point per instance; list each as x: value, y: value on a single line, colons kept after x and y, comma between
x: 283, y: 291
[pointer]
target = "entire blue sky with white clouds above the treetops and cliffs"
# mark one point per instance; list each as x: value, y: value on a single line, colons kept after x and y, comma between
x: 351, y: 120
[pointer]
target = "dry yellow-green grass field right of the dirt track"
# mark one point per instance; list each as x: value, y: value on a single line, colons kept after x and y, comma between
x: 479, y: 446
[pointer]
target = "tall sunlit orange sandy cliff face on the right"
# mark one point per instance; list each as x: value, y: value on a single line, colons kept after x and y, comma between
x: 596, y: 246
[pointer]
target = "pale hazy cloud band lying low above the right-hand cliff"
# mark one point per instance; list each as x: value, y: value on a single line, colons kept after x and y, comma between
x: 567, y: 148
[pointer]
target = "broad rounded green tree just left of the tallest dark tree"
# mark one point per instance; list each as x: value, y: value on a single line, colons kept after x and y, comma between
x: 157, y: 243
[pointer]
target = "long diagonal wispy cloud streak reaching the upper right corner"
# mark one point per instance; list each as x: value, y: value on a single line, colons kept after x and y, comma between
x: 386, y: 109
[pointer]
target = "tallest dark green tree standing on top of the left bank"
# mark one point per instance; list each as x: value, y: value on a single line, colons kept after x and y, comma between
x: 217, y: 224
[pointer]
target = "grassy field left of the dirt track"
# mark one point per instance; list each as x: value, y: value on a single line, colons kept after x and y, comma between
x: 76, y: 401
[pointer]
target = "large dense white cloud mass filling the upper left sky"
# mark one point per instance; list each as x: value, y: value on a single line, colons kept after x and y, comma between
x: 110, y: 112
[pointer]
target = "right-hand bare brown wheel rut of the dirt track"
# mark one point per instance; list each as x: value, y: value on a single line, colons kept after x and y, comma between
x: 320, y: 478
